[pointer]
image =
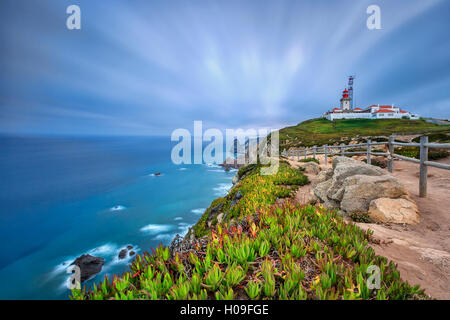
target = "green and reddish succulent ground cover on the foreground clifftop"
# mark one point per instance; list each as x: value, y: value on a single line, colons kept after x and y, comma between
x: 263, y: 251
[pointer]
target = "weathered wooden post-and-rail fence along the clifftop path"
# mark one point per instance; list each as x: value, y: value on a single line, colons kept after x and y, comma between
x: 423, y: 162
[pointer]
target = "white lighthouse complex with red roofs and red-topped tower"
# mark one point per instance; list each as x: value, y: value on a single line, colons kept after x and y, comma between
x: 372, y: 112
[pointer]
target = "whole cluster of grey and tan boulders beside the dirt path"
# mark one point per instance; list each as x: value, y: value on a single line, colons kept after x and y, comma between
x: 355, y: 187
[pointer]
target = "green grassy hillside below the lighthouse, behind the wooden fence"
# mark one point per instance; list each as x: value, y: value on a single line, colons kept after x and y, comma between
x: 321, y: 131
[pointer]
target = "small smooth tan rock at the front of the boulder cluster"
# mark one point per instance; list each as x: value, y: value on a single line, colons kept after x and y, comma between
x: 388, y: 210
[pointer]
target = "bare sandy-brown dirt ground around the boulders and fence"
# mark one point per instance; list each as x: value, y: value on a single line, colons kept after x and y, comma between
x: 422, y: 251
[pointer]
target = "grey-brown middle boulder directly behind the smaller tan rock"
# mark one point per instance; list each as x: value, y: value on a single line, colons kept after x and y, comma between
x: 359, y: 190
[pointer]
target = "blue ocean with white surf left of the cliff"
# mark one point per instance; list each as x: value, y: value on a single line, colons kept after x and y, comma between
x: 62, y: 197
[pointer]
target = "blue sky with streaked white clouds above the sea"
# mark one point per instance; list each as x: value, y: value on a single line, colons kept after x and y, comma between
x: 149, y: 67
